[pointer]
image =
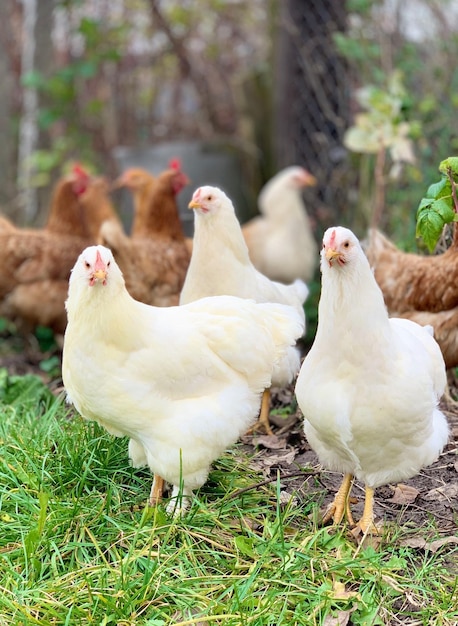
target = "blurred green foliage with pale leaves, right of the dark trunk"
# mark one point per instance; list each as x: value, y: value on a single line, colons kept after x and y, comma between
x: 402, y: 55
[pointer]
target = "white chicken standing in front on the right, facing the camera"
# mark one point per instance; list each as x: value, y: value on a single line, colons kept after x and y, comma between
x: 370, y: 386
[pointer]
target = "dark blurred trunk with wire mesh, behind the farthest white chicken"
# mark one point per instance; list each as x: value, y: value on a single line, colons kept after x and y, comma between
x: 313, y: 100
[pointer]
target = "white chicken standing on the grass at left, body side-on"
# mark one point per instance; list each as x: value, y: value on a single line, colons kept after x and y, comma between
x: 183, y: 383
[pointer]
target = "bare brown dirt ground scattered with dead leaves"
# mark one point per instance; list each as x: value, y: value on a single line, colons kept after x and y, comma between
x: 428, y: 500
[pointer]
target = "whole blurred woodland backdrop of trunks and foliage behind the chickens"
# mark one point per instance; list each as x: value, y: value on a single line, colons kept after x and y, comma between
x: 363, y: 93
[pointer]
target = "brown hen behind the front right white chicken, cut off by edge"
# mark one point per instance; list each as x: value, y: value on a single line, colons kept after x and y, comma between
x: 422, y: 288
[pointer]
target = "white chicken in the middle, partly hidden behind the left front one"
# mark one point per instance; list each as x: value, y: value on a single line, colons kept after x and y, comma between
x: 220, y: 265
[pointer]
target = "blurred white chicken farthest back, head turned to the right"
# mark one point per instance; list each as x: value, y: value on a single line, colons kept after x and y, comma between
x: 280, y: 240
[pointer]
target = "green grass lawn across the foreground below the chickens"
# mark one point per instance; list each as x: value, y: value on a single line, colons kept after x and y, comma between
x: 78, y: 545
